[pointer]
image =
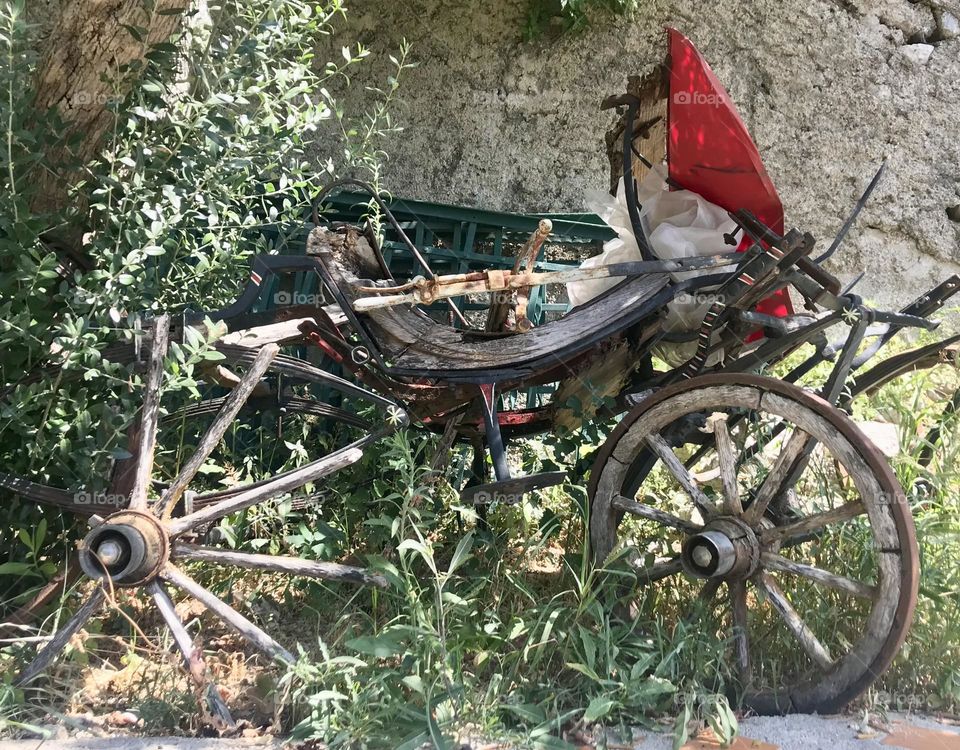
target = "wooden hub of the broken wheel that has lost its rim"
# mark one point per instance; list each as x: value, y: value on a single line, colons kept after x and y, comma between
x: 129, y: 548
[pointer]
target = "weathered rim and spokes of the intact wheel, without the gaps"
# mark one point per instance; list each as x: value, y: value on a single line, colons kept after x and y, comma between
x: 630, y: 454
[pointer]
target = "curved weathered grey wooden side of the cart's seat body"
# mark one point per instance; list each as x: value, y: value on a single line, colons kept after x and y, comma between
x: 414, y: 345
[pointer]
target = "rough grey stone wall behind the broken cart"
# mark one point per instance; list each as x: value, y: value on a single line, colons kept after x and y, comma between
x: 828, y: 90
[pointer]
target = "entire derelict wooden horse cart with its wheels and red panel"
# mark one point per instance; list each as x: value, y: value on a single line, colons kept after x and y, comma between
x: 756, y: 501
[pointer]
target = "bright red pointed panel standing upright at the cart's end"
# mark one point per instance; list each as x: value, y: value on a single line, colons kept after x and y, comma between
x: 710, y: 151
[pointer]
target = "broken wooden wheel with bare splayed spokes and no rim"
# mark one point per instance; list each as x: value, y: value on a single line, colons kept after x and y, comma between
x: 145, y: 544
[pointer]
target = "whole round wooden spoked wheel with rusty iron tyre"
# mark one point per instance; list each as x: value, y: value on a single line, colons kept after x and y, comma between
x: 809, y: 536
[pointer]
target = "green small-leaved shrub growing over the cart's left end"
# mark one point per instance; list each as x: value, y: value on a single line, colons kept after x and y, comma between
x: 208, y: 160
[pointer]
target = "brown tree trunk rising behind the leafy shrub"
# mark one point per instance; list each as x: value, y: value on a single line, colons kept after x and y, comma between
x: 81, y: 71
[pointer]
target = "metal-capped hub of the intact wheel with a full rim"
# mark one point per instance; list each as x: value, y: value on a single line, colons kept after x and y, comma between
x: 725, y: 548
